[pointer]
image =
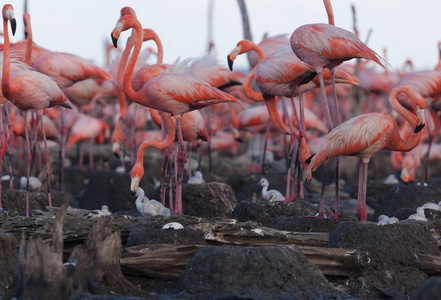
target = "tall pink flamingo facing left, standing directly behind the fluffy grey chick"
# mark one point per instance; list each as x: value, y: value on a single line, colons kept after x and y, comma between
x: 170, y: 92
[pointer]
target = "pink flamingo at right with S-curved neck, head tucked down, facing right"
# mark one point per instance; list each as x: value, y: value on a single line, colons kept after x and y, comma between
x: 366, y: 134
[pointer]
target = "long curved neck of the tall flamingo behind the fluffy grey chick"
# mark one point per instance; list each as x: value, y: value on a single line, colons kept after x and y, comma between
x: 128, y: 89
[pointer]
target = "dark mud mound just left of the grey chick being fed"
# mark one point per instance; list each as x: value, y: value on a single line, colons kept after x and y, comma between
x: 112, y: 189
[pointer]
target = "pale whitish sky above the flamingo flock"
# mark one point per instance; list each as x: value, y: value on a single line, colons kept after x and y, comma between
x: 407, y: 28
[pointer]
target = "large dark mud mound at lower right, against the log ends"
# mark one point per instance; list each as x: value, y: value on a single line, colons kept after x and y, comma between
x: 387, y: 252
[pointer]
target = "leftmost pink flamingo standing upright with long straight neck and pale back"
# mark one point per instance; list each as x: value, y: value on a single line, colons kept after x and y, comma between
x: 28, y: 89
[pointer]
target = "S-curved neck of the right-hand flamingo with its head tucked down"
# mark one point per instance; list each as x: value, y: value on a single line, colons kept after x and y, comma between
x: 414, y: 138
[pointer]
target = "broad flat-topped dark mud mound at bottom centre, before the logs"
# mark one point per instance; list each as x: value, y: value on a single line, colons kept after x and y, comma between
x: 275, y: 272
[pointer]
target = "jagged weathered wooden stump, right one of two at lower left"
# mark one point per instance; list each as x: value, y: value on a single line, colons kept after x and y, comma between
x: 98, y: 263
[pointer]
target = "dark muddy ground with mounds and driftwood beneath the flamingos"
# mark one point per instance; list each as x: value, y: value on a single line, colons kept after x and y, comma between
x: 234, y: 245
